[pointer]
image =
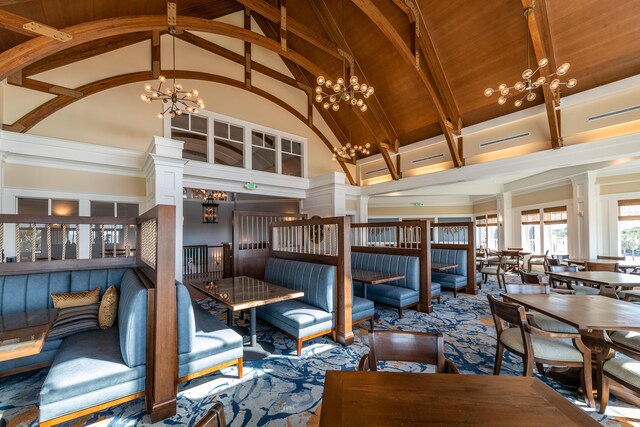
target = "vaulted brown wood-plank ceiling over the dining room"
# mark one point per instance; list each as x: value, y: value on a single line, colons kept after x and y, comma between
x: 429, y: 60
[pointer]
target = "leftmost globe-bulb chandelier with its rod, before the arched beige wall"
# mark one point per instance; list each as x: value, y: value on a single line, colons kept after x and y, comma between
x: 175, y: 100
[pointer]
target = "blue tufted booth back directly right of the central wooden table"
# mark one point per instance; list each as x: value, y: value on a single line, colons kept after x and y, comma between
x: 317, y: 281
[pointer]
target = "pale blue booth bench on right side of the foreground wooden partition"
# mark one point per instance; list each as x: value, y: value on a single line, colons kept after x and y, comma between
x: 205, y: 344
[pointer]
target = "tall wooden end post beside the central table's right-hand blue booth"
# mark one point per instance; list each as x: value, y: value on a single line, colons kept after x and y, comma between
x: 344, y: 324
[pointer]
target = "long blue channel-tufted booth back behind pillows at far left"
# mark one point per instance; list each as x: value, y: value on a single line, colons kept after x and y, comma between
x: 28, y: 292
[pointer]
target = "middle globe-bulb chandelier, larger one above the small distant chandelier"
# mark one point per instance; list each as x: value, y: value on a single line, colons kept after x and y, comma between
x: 353, y: 93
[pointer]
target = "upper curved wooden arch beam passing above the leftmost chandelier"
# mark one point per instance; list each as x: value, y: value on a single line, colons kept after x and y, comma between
x: 33, y: 50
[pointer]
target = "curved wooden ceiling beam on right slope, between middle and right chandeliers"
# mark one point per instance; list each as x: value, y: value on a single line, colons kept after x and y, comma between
x: 385, y: 26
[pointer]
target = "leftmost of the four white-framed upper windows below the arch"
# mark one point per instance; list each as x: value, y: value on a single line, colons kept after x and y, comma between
x: 193, y: 131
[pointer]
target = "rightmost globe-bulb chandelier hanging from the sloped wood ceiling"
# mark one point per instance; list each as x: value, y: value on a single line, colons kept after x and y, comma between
x: 530, y: 81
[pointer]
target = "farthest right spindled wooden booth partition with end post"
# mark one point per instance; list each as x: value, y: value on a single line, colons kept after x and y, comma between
x: 458, y: 236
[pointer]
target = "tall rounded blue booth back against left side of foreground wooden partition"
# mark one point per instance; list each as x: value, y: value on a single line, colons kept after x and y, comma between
x: 132, y: 319
